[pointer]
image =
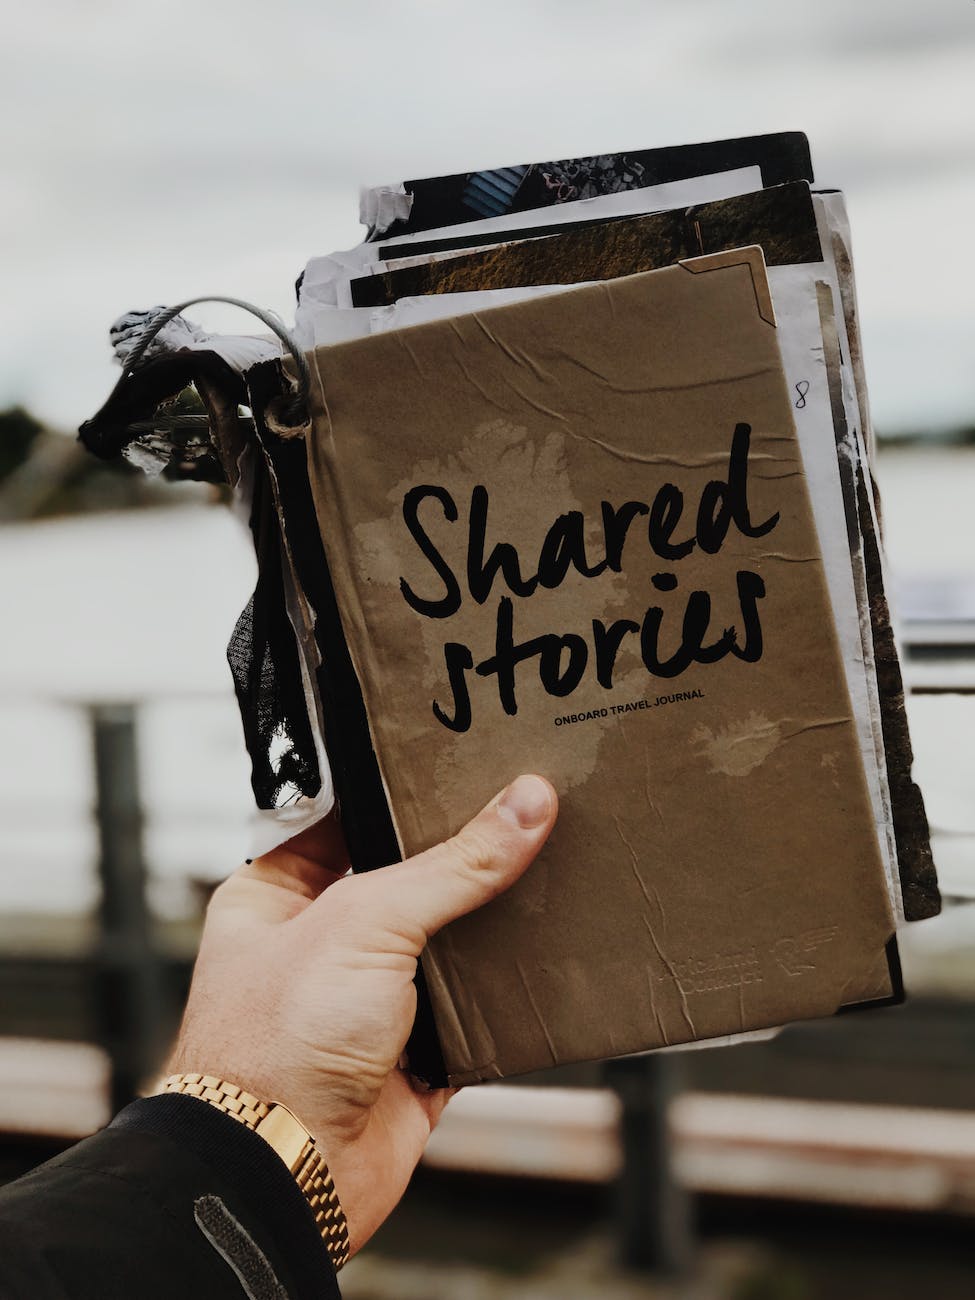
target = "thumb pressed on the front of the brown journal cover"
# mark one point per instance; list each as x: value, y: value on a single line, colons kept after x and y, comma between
x: 422, y: 895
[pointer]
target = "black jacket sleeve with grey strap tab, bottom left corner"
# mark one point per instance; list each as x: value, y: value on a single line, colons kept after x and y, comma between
x: 174, y: 1199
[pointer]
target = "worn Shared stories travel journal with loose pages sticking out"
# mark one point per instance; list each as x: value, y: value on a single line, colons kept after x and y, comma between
x: 587, y: 491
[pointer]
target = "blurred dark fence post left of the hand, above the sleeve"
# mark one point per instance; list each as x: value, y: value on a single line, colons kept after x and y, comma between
x: 128, y: 977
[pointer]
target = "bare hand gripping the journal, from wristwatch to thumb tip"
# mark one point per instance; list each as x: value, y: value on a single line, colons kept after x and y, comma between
x: 304, y: 991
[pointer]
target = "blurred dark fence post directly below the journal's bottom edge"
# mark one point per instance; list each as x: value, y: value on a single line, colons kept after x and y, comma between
x: 653, y: 1212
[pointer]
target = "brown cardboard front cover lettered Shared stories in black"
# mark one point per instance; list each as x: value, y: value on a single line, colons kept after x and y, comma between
x: 714, y: 868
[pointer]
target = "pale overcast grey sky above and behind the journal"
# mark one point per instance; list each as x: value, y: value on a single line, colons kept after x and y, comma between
x: 161, y: 151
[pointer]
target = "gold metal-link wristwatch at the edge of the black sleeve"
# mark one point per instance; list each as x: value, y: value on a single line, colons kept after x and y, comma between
x: 289, y: 1138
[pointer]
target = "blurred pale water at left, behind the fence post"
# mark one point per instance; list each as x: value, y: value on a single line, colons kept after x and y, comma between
x: 131, y: 606
